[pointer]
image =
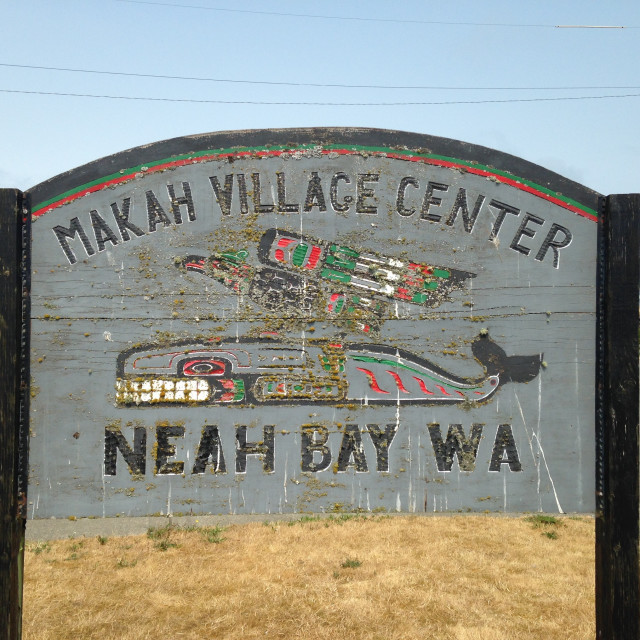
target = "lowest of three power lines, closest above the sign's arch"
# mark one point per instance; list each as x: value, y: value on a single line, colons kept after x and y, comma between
x: 317, y: 104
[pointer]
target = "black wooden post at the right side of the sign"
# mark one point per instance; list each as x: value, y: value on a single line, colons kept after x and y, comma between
x: 617, y: 397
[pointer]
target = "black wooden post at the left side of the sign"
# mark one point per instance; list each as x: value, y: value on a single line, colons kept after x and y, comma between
x: 14, y: 397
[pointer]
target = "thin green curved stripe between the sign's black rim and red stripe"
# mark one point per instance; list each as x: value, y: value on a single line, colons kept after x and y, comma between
x: 386, y: 151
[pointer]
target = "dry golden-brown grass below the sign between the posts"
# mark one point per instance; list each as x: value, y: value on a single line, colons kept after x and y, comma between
x: 458, y: 578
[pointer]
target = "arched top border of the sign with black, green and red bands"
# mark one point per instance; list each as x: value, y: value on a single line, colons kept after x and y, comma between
x: 494, y: 165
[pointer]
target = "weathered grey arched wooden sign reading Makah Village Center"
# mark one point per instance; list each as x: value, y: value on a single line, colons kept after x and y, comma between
x: 312, y: 320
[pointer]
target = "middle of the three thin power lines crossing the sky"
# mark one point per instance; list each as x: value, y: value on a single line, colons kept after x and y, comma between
x: 312, y: 84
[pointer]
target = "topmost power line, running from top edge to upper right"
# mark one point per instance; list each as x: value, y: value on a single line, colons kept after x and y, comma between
x: 361, y: 19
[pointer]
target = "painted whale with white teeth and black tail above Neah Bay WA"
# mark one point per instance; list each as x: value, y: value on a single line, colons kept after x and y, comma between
x: 270, y: 372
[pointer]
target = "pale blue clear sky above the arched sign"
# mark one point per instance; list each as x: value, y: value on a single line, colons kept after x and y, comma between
x: 458, y: 51
